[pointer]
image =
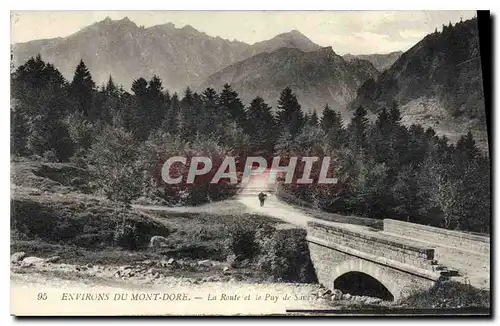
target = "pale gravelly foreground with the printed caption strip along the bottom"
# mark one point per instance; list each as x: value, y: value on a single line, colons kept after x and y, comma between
x: 139, y: 289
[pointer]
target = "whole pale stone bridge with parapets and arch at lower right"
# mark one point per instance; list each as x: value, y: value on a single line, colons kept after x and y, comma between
x: 394, y: 262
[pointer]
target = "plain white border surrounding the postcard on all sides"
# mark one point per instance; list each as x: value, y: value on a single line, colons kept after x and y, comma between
x: 201, y: 5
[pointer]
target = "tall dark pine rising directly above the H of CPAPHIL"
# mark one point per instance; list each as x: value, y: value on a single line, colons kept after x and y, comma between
x: 289, y: 113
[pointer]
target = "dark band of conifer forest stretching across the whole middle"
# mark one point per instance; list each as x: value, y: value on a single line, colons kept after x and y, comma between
x: 385, y: 169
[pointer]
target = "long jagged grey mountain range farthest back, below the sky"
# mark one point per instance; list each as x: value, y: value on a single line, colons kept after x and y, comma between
x: 179, y: 56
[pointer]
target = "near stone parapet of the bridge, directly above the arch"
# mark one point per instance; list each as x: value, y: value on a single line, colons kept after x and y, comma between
x: 381, y: 245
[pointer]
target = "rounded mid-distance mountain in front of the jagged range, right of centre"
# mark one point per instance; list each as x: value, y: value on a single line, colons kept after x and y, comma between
x: 317, y: 77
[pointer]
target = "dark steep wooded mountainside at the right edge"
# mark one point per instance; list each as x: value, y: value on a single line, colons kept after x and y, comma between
x: 437, y: 83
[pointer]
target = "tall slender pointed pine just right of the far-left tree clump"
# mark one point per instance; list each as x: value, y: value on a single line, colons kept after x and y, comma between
x: 82, y: 89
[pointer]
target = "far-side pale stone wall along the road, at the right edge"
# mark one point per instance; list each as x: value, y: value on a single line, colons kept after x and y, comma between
x: 465, y: 241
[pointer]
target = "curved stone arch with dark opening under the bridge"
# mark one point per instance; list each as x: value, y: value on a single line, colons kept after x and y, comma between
x: 374, y: 278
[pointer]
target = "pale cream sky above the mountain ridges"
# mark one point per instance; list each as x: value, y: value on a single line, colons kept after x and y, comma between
x: 355, y: 32
